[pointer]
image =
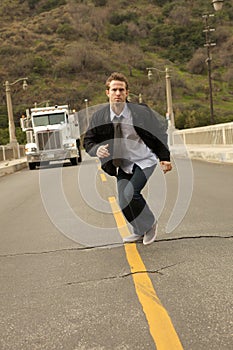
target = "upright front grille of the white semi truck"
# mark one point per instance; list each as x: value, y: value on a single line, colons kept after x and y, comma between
x: 48, y: 140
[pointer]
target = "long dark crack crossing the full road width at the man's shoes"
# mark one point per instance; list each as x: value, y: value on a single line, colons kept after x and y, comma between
x: 111, y: 245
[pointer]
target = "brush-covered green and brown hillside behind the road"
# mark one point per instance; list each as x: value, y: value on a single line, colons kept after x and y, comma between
x: 67, y: 48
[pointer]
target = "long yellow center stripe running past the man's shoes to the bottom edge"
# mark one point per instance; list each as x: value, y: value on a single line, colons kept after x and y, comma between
x: 160, y: 324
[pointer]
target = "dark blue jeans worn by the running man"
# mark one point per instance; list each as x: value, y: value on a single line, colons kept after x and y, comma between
x: 131, y: 201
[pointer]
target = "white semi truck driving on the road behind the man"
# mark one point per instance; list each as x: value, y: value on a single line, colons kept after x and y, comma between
x: 53, y: 134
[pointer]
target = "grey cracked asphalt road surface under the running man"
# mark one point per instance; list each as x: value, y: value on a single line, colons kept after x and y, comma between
x: 66, y: 281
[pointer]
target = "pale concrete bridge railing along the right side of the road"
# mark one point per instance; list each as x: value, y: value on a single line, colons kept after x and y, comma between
x: 211, y: 135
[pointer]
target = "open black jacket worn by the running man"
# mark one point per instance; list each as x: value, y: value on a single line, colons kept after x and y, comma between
x: 149, y: 125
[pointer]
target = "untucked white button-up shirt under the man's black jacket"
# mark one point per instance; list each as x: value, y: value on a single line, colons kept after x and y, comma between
x: 135, y: 150
